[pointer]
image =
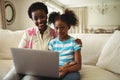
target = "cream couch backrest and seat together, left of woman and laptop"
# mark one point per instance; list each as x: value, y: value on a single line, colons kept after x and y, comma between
x: 8, y: 39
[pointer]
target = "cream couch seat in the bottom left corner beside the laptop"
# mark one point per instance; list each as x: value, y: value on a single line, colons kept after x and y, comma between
x: 5, y: 66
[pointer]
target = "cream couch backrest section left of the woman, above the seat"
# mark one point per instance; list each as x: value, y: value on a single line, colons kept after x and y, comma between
x: 9, y: 39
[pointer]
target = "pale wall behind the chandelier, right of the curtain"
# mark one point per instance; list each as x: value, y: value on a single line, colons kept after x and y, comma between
x: 108, y: 20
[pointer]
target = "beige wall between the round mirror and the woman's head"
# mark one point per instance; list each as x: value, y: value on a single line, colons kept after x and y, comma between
x: 22, y: 21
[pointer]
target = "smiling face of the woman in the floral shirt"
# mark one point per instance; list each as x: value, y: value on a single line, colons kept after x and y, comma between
x: 40, y: 19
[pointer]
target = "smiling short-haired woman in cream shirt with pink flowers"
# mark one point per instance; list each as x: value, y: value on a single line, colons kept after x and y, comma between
x: 36, y: 37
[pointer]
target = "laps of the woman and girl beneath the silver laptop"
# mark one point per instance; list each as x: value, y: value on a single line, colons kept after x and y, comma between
x: 14, y: 76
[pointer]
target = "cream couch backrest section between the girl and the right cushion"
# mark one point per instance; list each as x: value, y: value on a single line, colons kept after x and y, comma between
x: 92, y: 45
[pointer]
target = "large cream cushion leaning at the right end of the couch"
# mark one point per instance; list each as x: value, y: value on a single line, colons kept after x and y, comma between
x: 110, y: 55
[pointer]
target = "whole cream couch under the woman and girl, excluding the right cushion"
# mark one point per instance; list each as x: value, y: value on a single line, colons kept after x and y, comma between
x: 92, y: 49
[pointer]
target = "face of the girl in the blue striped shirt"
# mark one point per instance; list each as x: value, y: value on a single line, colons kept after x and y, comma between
x: 61, y: 29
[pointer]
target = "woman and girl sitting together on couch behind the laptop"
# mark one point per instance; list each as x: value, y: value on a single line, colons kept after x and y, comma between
x: 42, y: 37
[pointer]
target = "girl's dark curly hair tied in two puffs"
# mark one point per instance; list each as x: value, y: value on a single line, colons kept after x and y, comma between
x: 69, y: 17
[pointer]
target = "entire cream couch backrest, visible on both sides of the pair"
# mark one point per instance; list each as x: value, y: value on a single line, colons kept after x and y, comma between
x: 92, y: 44
